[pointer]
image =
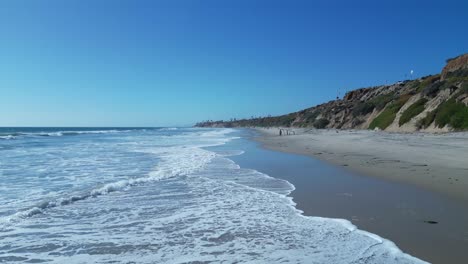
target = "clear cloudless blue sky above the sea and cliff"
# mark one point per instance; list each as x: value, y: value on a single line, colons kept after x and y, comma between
x: 168, y: 63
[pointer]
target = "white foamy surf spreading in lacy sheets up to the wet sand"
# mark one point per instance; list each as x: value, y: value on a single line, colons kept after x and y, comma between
x: 194, y: 206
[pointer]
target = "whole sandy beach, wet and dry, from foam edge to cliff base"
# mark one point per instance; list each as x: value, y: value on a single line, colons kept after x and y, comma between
x: 404, y: 187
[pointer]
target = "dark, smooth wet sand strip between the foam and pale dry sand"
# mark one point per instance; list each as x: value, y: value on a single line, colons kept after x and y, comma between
x: 425, y: 224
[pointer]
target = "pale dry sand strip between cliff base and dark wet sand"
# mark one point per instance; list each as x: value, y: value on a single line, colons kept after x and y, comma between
x: 437, y: 163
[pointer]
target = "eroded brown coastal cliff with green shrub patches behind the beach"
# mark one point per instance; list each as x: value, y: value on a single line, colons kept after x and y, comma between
x: 435, y: 103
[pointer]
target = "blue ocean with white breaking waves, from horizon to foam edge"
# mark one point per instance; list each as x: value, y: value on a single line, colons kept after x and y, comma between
x: 158, y: 195
